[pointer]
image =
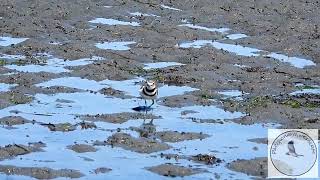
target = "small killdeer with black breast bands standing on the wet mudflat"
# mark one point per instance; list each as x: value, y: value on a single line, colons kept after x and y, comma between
x: 149, y: 90
